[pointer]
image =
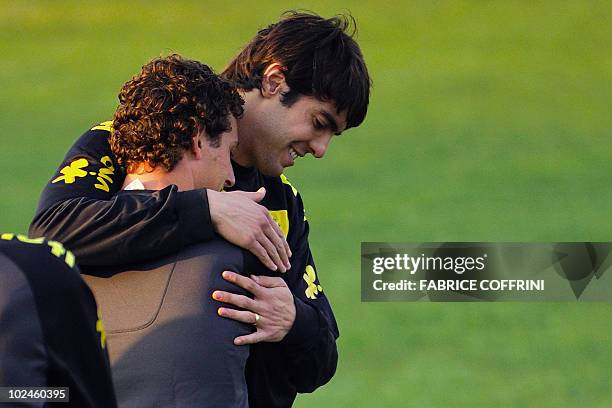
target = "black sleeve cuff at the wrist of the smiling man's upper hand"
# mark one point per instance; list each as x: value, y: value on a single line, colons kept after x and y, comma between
x: 194, y: 216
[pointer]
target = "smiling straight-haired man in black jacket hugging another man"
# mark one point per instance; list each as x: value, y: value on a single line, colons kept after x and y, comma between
x: 303, y: 80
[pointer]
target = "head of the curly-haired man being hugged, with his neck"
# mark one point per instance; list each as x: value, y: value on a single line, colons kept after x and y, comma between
x: 170, y: 122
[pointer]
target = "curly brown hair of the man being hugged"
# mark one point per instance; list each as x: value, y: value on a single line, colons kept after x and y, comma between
x: 164, y: 105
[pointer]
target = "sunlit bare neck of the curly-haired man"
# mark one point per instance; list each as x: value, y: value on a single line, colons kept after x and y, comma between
x: 158, y: 178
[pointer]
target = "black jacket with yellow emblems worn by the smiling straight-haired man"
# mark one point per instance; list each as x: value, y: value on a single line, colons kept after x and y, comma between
x: 79, y: 207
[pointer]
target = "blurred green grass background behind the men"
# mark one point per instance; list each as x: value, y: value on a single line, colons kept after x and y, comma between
x: 488, y: 121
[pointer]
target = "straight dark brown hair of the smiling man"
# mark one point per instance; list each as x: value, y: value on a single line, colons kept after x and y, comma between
x: 319, y: 57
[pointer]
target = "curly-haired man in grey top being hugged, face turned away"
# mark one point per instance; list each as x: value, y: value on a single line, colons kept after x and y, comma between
x: 175, y: 127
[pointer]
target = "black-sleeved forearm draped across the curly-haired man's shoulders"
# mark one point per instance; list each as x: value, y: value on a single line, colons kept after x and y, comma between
x: 127, y: 228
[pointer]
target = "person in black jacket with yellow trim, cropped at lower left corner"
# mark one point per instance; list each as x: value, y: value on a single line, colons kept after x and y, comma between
x: 50, y: 332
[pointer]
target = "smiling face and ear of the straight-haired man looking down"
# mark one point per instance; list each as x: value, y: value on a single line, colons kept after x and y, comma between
x: 273, y: 136
